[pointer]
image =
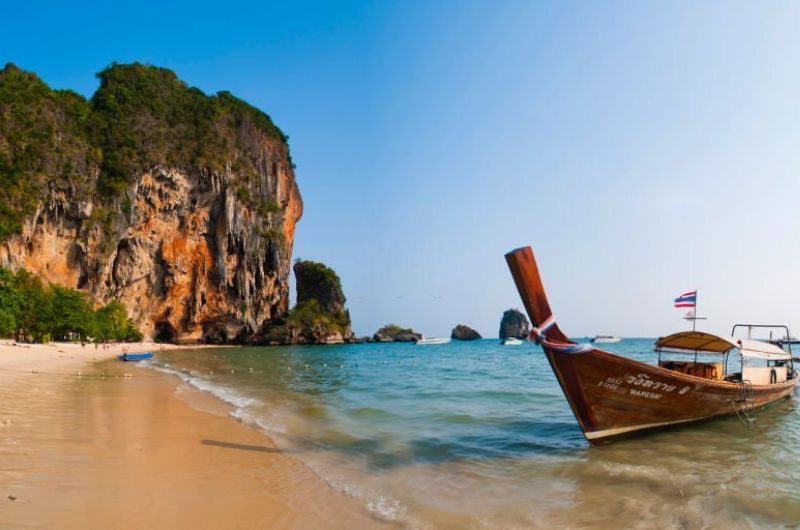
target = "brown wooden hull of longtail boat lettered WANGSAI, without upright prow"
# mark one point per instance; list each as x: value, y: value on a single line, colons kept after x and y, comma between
x: 613, y: 396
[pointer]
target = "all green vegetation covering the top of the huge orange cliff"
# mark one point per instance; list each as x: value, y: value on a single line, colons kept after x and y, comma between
x: 140, y: 117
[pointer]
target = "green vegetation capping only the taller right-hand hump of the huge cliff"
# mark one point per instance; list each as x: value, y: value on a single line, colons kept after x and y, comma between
x: 143, y: 115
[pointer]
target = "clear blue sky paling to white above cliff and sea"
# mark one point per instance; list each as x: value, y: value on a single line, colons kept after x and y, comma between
x: 643, y: 148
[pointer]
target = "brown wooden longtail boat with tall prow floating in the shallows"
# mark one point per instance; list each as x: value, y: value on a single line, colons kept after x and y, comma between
x: 613, y: 396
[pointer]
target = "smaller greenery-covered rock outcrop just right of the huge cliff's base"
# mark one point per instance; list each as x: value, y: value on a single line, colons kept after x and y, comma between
x: 319, y: 317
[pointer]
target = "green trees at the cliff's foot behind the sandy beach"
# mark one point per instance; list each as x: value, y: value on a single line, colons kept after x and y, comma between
x: 31, y: 311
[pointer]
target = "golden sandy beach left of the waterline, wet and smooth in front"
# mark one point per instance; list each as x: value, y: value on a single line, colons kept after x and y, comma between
x: 143, y: 451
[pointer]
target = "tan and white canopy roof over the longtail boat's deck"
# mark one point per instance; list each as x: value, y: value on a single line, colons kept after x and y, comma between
x: 697, y: 341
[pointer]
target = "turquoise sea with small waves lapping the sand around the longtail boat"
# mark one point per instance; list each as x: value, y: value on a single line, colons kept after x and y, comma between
x: 479, y: 435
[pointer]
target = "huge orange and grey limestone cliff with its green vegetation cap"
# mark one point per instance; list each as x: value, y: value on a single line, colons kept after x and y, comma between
x: 181, y: 205
